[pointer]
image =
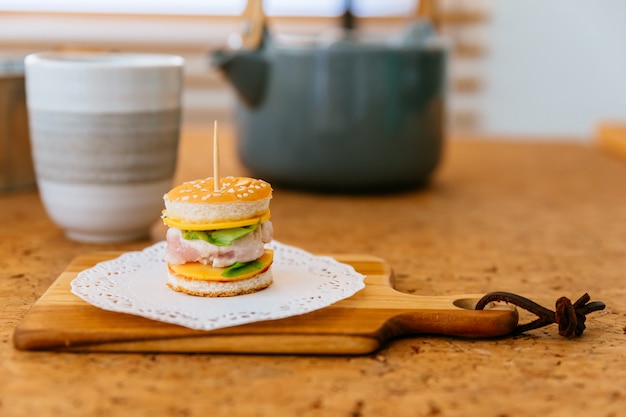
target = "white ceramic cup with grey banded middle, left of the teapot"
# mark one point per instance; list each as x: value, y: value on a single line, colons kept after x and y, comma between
x: 104, y: 136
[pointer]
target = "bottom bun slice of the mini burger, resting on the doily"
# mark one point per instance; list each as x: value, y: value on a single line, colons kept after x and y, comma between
x: 205, y: 288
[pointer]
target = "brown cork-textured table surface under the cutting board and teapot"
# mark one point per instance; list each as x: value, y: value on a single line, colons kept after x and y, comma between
x: 541, y: 219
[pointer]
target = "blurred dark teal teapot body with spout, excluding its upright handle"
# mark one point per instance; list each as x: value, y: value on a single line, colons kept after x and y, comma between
x: 341, y: 111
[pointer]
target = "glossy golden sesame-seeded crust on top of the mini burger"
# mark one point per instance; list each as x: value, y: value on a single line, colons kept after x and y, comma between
x: 232, y: 189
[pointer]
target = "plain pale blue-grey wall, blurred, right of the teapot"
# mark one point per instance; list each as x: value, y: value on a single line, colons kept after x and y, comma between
x: 554, y: 67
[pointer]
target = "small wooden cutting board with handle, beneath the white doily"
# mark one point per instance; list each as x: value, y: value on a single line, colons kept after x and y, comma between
x: 361, y: 324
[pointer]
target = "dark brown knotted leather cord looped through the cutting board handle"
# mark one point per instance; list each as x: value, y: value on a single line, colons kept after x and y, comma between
x: 569, y: 317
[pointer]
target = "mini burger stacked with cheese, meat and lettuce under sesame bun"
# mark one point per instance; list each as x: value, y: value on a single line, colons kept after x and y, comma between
x: 215, y: 241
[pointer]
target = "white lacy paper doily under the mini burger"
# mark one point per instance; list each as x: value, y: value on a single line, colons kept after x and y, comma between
x: 135, y: 283
